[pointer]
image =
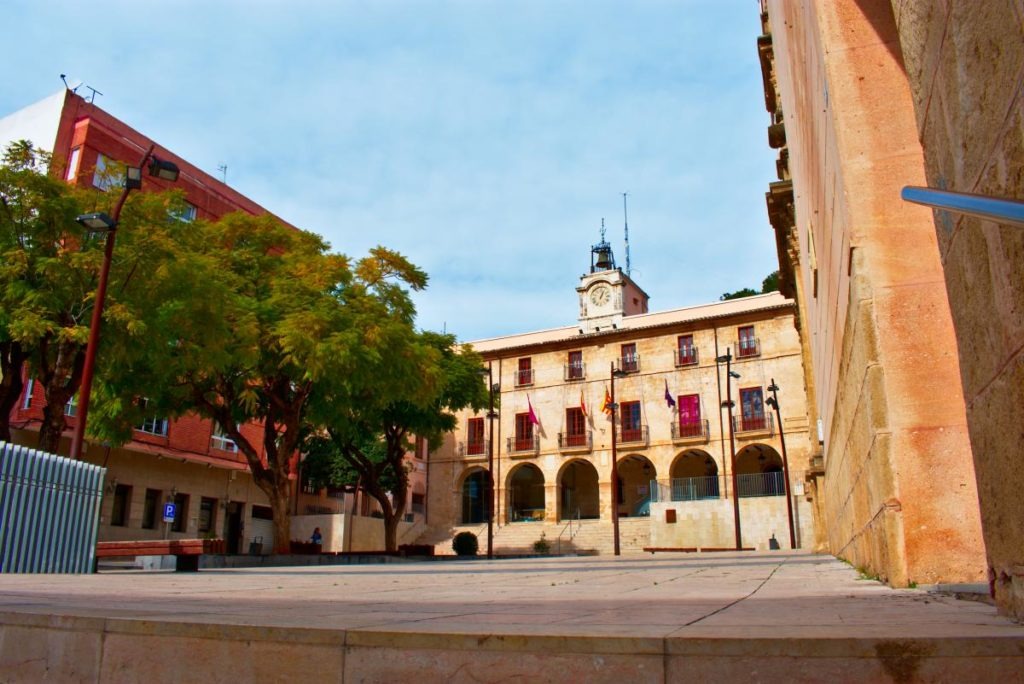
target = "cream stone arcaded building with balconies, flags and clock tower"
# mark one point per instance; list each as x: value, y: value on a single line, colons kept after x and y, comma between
x: 560, y: 468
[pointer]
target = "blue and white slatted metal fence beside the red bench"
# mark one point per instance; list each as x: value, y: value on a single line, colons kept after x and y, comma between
x: 50, y: 511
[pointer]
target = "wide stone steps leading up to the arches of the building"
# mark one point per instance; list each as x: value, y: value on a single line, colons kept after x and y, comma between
x: 589, y: 537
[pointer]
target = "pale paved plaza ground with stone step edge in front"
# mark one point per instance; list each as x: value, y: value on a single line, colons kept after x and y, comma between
x: 769, y: 617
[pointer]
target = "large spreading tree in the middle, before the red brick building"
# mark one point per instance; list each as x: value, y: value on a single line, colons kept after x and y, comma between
x: 281, y: 321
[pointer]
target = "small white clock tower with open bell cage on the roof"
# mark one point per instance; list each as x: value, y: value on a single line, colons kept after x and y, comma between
x: 607, y: 294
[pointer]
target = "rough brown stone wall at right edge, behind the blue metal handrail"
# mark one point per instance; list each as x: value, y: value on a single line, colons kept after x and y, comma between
x: 965, y: 63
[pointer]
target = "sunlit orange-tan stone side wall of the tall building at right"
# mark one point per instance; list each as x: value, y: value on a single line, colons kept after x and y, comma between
x: 899, y: 493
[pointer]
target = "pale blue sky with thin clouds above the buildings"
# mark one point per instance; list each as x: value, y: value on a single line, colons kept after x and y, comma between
x: 484, y: 141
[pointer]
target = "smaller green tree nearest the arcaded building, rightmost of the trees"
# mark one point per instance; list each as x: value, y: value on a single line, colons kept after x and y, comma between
x: 369, y: 432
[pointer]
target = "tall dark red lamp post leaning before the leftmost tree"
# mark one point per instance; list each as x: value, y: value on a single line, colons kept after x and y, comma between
x: 101, y: 222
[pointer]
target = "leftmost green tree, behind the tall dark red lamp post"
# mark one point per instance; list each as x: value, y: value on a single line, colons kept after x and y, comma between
x: 50, y: 275
